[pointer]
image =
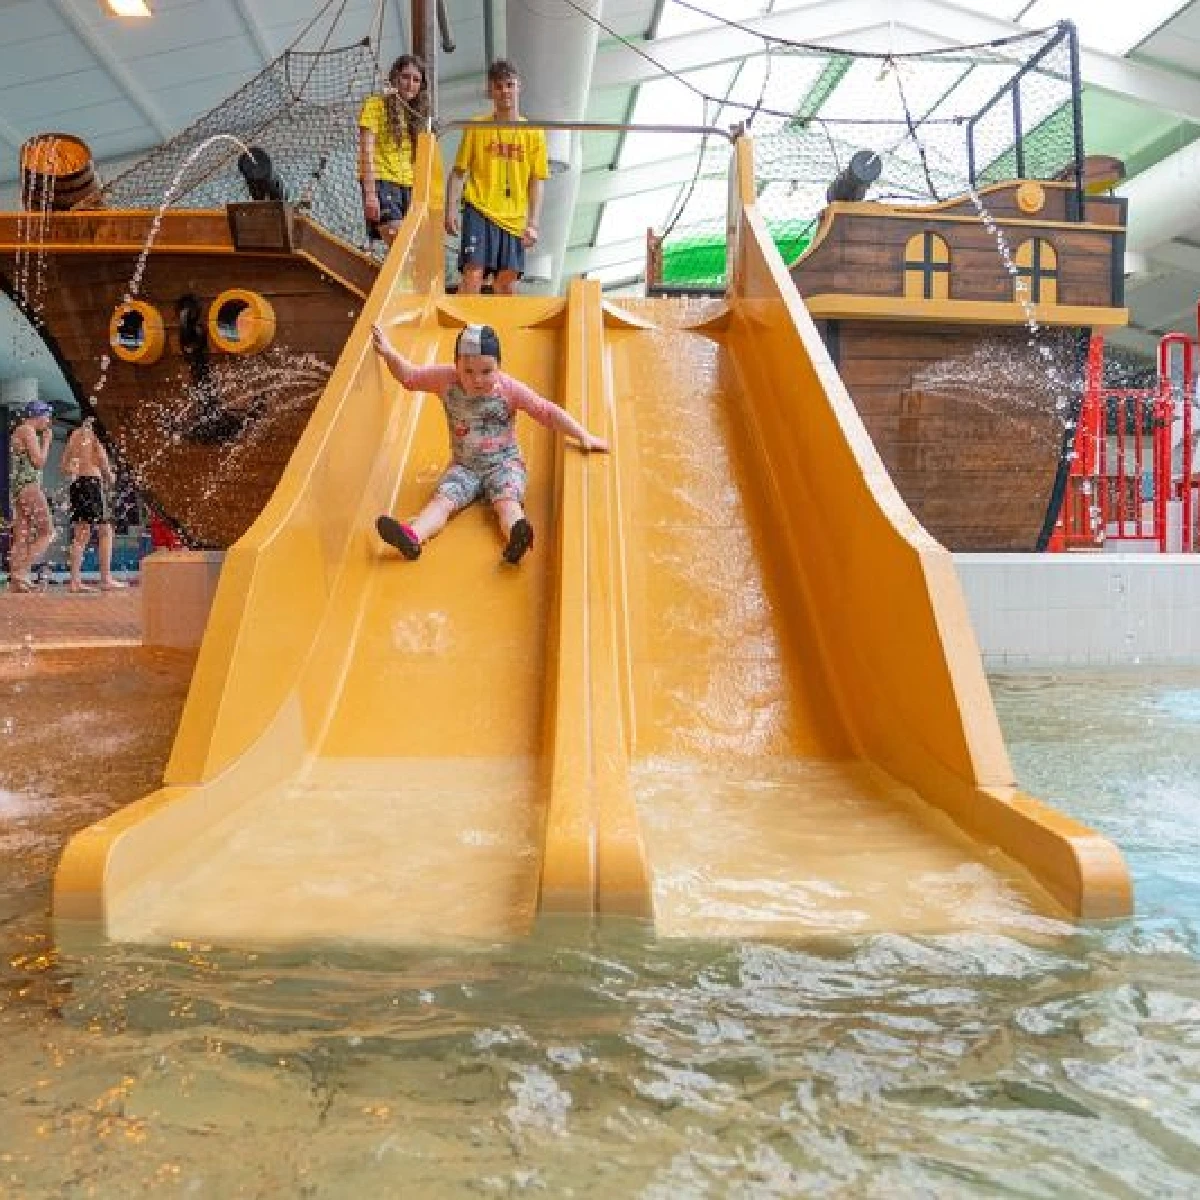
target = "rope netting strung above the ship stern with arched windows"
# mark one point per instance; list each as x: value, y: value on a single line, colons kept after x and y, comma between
x: 943, y: 123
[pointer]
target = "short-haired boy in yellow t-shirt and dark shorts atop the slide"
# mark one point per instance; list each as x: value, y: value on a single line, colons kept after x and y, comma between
x: 499, y: 176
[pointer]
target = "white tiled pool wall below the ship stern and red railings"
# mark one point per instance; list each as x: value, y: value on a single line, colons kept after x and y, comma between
x: 1083, y: 610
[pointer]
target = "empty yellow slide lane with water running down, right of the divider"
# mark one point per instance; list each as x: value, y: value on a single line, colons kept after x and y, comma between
x: 761, y: 817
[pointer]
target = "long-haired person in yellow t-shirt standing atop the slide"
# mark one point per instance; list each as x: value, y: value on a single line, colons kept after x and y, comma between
x: 388, y: 130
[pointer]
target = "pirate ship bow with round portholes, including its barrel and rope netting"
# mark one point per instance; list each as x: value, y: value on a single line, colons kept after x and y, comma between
x: 197, y: 303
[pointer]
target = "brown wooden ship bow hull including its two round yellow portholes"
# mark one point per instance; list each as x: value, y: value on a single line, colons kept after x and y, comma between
x: 202, y: 373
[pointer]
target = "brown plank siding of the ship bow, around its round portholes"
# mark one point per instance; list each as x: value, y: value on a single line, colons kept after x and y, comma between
x: 213, y: 490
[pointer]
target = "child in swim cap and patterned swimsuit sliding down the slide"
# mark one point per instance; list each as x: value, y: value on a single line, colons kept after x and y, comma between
x: 482, y: 405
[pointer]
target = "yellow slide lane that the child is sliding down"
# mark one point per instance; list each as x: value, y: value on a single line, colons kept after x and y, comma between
x: 418, y: 815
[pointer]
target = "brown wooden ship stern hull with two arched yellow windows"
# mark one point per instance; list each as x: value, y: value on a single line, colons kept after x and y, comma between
x: 963, y: 343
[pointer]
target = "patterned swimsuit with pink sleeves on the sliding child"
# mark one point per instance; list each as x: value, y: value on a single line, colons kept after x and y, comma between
x: 483, y: 435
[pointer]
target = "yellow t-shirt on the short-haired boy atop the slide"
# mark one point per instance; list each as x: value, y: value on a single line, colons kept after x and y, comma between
x: 499, y: 165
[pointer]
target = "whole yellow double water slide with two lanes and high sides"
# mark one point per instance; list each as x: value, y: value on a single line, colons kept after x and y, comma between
x: 734, y: 689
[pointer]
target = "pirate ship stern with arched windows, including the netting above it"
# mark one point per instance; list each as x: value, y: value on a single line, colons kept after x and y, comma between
x: 956, y: 267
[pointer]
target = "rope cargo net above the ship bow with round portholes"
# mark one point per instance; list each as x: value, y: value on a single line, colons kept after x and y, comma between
x: 303, y: 111
